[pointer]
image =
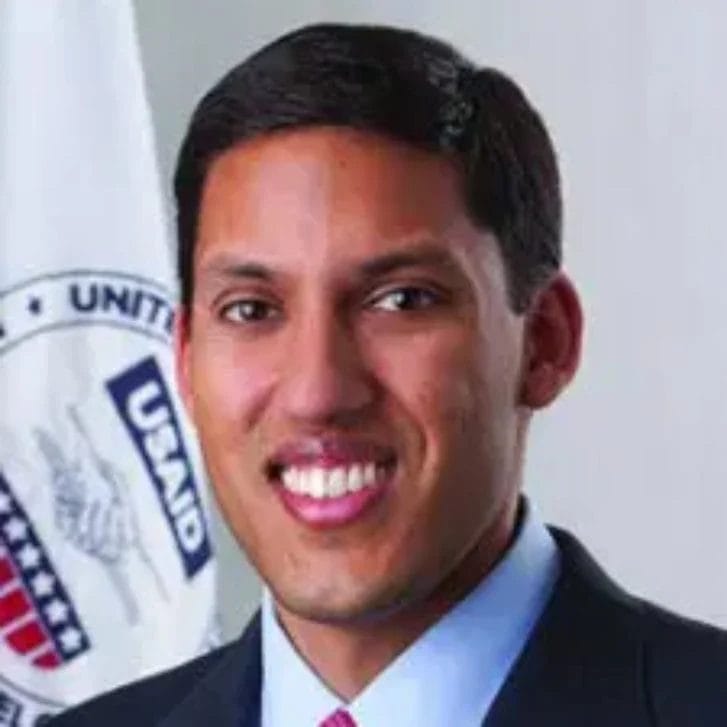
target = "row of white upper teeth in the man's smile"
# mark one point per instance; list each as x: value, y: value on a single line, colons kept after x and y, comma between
x: 321, y: 483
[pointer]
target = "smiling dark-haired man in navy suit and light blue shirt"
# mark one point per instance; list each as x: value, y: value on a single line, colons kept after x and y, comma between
x: 372, y: 309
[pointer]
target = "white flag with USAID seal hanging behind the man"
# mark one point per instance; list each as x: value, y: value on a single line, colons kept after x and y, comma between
x: 106, y: 569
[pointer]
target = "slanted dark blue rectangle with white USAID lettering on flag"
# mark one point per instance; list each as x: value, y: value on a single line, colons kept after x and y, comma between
x: 144, y: 404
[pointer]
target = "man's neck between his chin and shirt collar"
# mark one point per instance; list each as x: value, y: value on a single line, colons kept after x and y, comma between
x: 347, y: 657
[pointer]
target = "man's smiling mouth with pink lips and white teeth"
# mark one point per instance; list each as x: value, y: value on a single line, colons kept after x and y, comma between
x: 331, y: 484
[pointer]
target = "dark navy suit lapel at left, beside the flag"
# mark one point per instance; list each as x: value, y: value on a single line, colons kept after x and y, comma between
x: 229, y: 694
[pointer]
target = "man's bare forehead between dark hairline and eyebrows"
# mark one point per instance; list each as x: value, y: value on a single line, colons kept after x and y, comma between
x: 326, y: 194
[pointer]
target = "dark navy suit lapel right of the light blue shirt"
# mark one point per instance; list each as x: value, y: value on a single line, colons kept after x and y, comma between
x: 584, y: 662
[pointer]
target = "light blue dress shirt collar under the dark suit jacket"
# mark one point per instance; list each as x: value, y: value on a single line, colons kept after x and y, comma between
x: 450, y: 675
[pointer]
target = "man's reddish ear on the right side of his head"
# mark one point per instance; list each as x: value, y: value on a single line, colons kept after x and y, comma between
x: 553, y: 336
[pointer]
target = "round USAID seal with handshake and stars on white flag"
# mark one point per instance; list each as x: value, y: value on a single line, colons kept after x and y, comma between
x: 106, y: 567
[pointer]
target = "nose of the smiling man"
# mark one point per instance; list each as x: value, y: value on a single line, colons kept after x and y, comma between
x: 326, y: 379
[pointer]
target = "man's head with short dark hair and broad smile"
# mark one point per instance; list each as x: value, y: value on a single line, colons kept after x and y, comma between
x: 369, y: 244
